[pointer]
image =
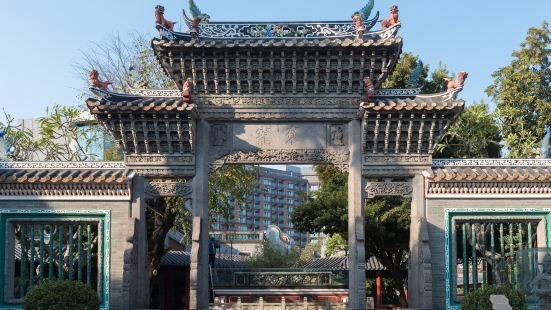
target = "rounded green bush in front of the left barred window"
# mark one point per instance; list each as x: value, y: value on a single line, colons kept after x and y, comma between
x: 61, y: 295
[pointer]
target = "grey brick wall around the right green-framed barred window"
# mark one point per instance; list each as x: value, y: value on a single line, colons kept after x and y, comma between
x: 435, y: 219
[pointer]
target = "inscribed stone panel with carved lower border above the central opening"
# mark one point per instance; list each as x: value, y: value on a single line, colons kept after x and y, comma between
x: 306, y: 142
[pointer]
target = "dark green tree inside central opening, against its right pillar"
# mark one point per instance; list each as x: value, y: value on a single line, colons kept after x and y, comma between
x: 327, y: 210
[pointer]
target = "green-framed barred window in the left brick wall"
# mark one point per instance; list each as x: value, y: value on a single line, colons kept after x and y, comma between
x: 47, y: 247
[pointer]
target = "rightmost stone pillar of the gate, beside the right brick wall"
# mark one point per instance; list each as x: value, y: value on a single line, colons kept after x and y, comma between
x: 419, y: 270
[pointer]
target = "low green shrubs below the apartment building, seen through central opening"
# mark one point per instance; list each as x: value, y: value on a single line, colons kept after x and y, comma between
x: 268, y: 255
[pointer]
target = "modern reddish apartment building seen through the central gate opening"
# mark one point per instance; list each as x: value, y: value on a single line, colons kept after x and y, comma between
x: 276, y: 194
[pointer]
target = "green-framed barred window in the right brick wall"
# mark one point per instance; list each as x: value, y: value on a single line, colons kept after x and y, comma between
x: 491, y: 249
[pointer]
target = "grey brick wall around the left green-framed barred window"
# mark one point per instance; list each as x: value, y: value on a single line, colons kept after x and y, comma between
x: 119, y: 227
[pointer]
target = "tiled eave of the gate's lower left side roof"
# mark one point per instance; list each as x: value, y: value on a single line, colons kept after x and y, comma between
x: 140, y: 104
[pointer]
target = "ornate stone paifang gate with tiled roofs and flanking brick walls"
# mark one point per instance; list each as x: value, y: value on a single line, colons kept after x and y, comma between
x: 259, y: 93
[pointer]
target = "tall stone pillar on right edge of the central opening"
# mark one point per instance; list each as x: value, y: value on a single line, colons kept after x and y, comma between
x: 356, y: 240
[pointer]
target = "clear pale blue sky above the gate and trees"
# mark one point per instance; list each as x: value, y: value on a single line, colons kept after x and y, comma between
x: 43, y: 40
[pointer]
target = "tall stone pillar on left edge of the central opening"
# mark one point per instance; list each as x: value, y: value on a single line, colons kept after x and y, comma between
x: 199, y: 267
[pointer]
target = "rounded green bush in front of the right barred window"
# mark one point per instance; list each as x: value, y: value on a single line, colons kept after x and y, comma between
x: 480, y: 300
